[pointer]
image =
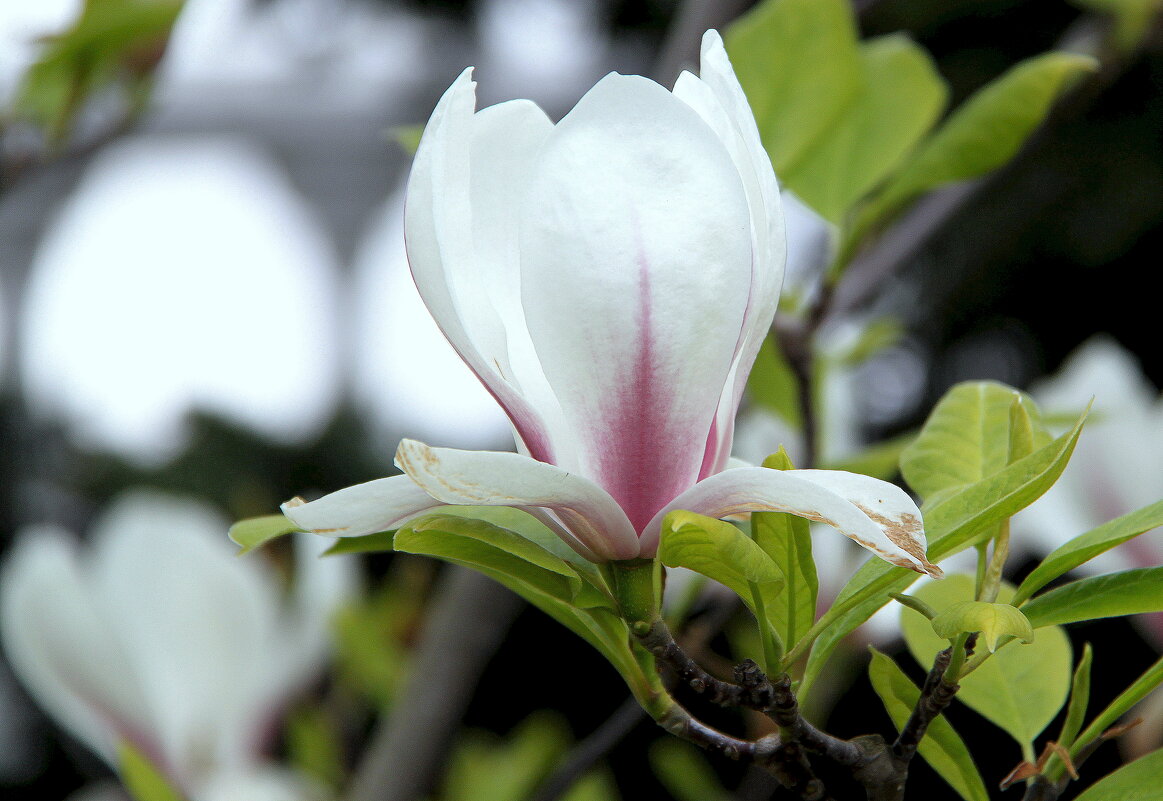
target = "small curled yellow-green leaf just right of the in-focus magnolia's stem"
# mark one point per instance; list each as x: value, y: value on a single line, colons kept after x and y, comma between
x: 722, y: 553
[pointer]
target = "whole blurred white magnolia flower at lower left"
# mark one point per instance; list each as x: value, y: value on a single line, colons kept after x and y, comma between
x: 160, y: 638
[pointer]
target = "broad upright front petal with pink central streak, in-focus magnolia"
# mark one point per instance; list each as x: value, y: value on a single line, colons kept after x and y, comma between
x: 637, y: 270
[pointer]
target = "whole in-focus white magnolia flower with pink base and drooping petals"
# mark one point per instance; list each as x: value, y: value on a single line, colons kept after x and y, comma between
x: 610, y: 281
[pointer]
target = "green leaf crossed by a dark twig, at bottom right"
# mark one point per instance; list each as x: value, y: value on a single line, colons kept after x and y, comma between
x: 941, y: 748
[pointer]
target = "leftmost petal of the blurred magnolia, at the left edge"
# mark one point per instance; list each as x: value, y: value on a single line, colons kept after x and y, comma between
x: 65, y: 652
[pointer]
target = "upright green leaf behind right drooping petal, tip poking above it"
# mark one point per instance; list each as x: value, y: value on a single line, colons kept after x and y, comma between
x: 788, y: 540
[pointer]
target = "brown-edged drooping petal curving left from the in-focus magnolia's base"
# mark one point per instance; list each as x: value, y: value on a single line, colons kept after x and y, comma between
x: 491, y: 478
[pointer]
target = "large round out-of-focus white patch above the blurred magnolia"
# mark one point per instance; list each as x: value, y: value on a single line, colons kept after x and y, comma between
x: 180, y: 275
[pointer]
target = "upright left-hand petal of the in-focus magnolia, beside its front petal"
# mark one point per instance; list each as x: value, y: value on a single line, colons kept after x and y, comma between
x: 461, y: 234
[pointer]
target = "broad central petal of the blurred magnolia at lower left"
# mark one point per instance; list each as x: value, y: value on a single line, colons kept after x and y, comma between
x: 197, y: 624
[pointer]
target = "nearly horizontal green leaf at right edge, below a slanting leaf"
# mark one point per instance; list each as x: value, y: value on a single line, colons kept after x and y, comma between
x: 1130, y: 592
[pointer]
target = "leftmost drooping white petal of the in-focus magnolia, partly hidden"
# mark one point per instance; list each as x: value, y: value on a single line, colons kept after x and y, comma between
x: 363, y: 509
